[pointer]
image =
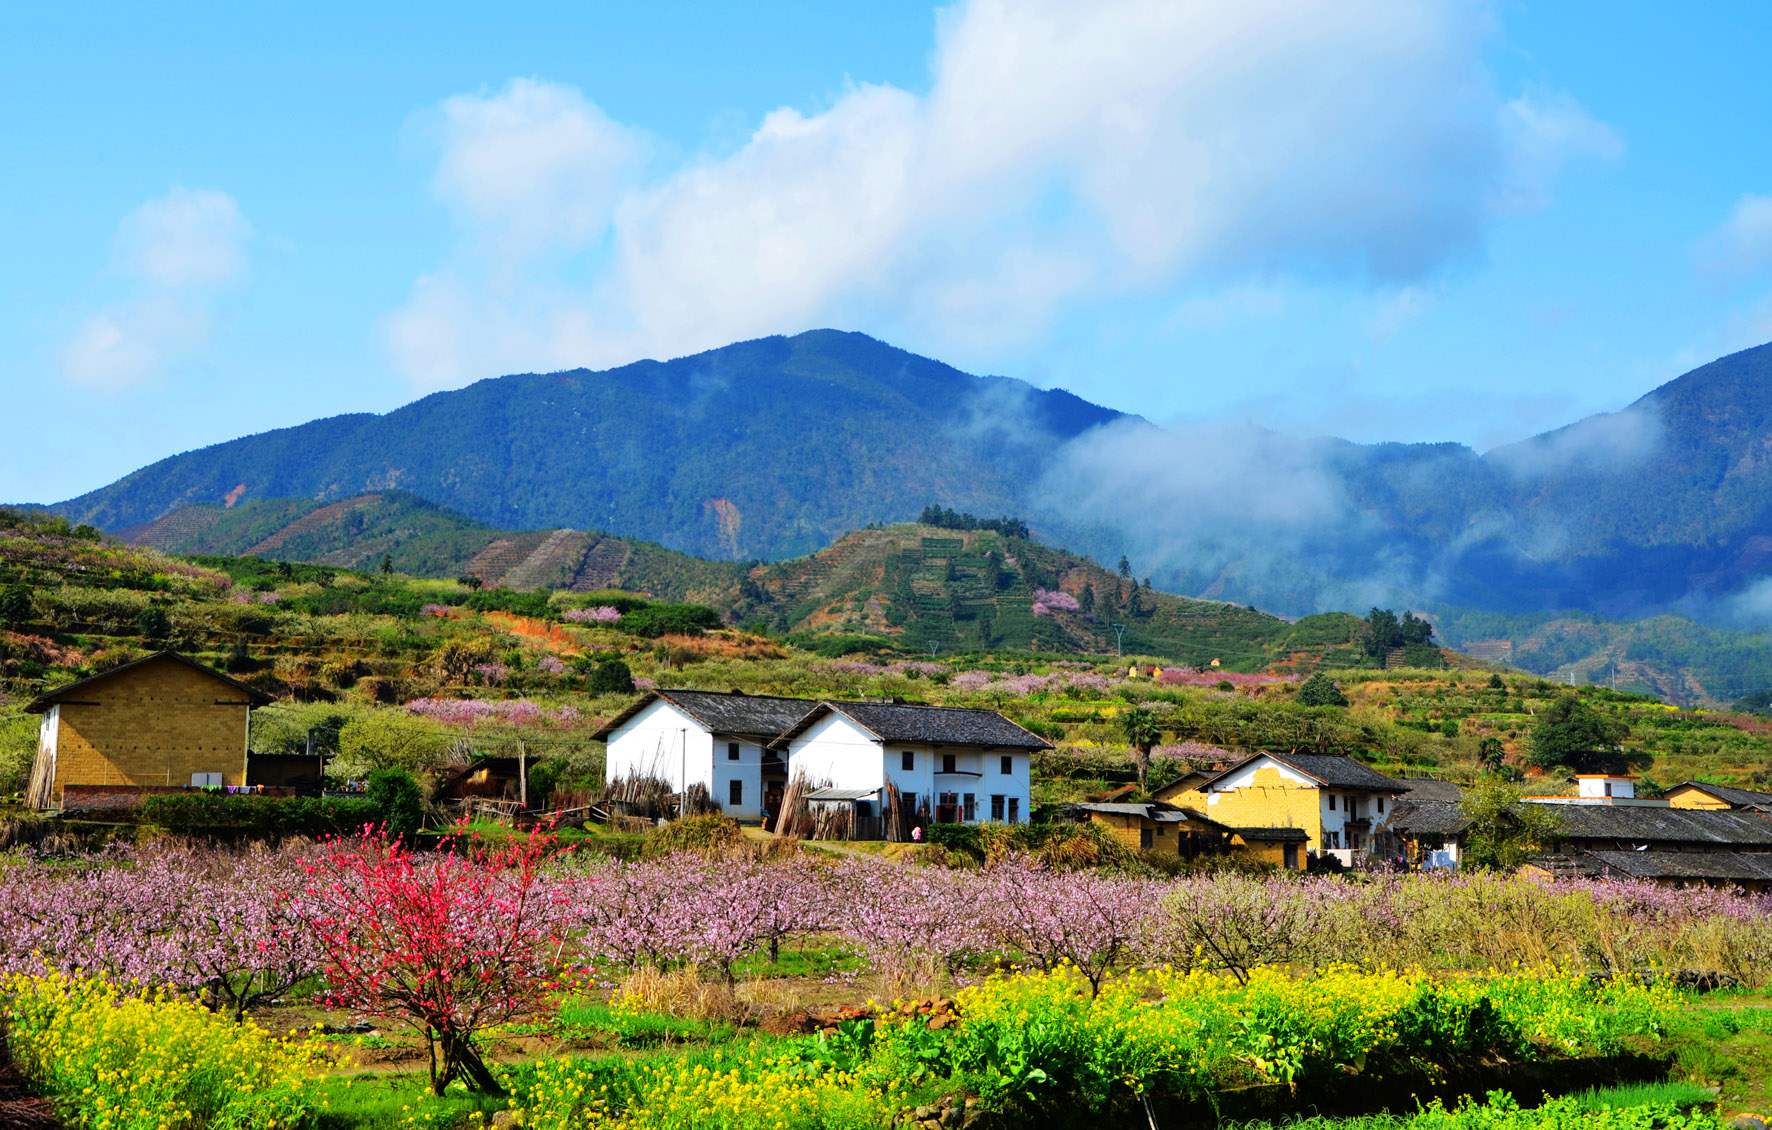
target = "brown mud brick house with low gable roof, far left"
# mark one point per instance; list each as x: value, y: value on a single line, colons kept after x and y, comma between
x: 159, y: 722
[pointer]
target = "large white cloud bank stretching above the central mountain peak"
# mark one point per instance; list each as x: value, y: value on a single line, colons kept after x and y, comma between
x: 1062, y: 155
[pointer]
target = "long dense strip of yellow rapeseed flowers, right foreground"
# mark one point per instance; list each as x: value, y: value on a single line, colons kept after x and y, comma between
x: 1188, y: 1032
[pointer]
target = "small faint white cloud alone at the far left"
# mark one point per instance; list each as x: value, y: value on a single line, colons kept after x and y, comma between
x: 176, y: 254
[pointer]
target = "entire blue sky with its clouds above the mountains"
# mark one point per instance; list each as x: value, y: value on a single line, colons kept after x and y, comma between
x: 1376, y: 219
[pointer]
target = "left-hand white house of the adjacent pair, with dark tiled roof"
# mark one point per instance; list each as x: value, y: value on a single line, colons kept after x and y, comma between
x: 715, y: 739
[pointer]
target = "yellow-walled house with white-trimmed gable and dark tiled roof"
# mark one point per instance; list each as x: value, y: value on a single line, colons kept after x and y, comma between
x: 1286, y: 807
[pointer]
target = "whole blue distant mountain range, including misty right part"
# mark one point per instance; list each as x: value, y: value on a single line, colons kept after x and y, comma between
x: 777, y: 447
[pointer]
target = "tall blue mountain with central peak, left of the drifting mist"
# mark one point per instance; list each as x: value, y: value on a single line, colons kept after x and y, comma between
x: 758, y: 451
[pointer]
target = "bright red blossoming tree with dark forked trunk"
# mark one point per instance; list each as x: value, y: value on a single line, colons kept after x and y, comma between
x: 449, y: 945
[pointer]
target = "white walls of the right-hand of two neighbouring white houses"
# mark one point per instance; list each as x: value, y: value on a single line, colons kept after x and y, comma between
x: 839, y: 754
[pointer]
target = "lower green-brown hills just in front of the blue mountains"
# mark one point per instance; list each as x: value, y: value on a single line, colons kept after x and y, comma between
x: 917, y: 585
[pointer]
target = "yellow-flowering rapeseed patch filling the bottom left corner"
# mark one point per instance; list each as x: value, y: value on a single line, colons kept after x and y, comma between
x: 121, y: 1062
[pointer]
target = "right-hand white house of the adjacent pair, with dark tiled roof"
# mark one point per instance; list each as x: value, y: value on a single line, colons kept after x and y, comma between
x: 960, y: 766
